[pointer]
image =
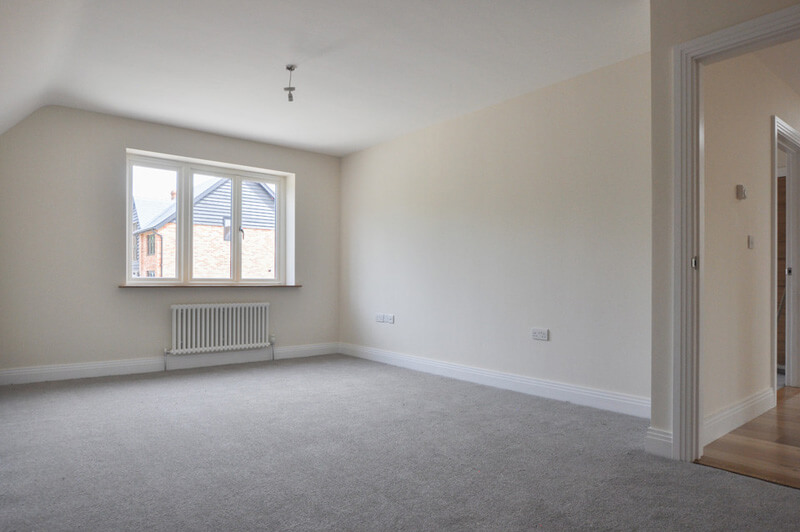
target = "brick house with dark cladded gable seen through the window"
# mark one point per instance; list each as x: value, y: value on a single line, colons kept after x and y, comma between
x: 155, y: 231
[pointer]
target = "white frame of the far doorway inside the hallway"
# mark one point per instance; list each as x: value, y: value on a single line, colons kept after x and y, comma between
x: 786, y: 138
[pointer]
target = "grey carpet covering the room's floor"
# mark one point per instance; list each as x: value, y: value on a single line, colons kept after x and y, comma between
x: 336, y: 443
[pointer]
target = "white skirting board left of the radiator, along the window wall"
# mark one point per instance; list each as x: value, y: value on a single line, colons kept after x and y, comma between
x: 81, y: 370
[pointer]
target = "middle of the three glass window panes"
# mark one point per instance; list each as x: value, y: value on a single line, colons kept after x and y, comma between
x: 211, y: 251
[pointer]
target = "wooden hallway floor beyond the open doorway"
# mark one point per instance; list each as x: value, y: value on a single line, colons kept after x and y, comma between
x: 767, y: 447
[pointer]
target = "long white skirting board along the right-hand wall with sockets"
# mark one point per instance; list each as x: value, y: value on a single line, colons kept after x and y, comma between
x: 613, y: 401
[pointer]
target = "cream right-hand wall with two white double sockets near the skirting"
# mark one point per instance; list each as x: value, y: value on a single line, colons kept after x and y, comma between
x: 531, y: 213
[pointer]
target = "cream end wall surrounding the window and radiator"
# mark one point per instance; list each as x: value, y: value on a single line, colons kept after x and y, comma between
x: 62, y: 218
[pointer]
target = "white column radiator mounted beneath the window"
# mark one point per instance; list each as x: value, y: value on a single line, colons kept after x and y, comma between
x: 219, y: 327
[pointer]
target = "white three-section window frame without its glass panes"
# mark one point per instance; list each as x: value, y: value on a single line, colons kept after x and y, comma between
x: 185, y: 168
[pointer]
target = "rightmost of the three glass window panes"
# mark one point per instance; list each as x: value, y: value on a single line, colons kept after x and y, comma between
x: 258, y: 224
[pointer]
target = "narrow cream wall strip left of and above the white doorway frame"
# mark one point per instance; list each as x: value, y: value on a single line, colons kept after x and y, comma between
x: 673, y: 22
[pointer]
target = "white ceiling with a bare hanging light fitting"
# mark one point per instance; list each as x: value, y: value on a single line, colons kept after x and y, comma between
x: 368, y: 70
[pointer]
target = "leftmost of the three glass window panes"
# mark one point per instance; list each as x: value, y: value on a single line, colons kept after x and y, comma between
x: 154, y: 221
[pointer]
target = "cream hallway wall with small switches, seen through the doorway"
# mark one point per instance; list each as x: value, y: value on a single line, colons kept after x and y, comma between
x: 740, y: 96
